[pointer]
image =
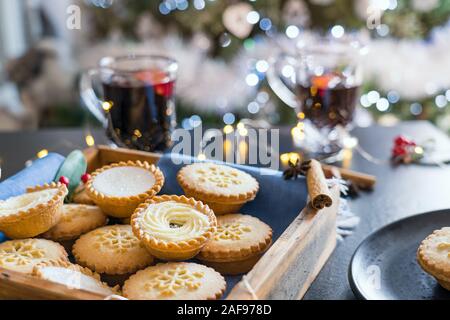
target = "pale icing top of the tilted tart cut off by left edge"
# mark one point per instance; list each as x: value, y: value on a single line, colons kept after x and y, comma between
x: 26, y: 201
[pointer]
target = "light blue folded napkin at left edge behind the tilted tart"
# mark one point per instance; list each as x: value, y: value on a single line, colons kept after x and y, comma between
x: 40, y: 172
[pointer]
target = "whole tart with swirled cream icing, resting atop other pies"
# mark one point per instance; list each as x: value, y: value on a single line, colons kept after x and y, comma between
x: 173, y: 227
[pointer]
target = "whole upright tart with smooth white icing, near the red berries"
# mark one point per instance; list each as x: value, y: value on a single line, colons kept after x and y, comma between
x: 119, y: 188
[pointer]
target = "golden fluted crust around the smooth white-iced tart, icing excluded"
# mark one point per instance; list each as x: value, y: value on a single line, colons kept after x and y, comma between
x: 123, y: 207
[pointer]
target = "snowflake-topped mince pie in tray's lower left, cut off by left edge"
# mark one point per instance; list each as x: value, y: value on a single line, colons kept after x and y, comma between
x: 24, y: 255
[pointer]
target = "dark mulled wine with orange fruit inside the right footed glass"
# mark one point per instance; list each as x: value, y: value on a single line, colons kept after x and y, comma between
x: 327, y: 102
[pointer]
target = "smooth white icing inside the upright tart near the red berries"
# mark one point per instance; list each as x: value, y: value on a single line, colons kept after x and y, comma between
x: 124, y: 181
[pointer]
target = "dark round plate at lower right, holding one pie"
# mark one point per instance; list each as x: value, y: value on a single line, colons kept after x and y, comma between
x: 384, y: 266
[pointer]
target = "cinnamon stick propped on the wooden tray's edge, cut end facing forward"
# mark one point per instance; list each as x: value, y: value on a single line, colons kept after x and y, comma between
x: 317, y: 186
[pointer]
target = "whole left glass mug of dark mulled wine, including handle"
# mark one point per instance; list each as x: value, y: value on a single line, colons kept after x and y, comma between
x: 136, y: 103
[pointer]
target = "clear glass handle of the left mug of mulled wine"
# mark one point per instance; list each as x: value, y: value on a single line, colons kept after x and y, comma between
x: 89, y: 98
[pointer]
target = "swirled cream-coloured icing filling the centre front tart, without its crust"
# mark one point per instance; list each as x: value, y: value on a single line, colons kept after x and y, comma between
x: 173, y: 221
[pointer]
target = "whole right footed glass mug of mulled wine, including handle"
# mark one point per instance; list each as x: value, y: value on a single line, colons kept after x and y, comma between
x: 321, y: 83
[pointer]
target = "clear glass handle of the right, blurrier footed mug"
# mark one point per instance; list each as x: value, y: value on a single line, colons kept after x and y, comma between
x: 277, y: 85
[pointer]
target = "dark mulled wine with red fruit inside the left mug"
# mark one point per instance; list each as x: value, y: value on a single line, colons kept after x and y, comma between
x: 142, y: 112
